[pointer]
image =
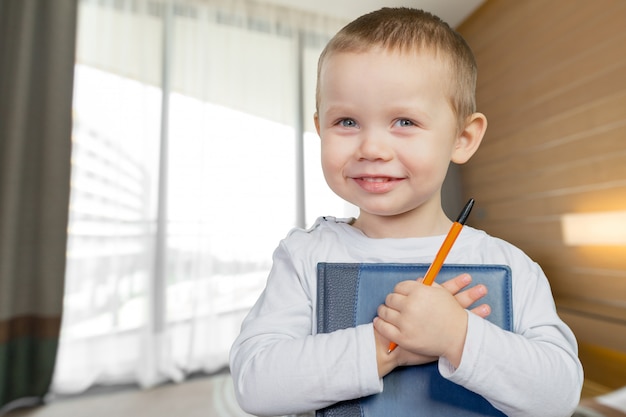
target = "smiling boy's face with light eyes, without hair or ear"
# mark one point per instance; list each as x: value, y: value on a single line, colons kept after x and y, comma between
x: 387, y: 129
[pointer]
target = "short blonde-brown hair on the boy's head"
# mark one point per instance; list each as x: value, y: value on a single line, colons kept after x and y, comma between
x: 405, y: 29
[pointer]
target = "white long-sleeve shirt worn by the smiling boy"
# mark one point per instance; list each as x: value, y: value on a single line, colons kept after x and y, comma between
x: 280, y: 365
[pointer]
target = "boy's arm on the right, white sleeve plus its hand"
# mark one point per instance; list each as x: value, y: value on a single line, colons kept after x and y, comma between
x: 531, y: 371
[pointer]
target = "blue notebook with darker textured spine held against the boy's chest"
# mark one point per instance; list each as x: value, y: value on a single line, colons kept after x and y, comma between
x: 348, y: 294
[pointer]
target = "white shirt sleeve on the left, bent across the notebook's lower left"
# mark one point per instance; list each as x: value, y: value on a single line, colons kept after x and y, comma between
x: 280, y: 366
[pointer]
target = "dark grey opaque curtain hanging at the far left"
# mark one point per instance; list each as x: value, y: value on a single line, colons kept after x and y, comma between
x: 37, y: 43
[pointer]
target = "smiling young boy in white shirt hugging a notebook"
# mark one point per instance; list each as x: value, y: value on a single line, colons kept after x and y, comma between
x: 395, y: 105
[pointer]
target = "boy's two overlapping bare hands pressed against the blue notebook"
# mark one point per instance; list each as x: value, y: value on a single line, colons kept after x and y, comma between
x: 426, y: 322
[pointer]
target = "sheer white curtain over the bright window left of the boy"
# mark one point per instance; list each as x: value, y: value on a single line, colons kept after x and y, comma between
x: 184, y: 180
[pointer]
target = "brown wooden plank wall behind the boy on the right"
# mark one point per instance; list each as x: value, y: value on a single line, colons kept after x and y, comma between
x: 552, y: 83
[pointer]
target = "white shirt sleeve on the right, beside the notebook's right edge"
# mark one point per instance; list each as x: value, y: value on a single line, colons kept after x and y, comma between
x: 532, y: 371
